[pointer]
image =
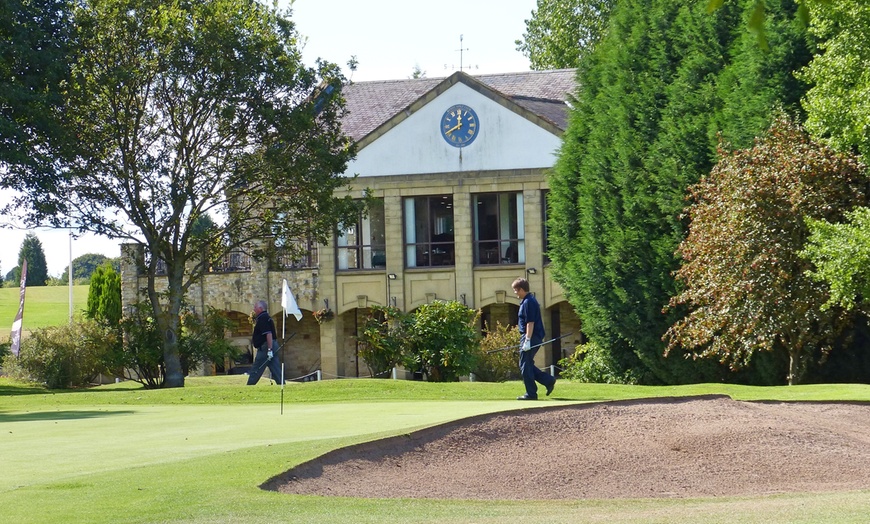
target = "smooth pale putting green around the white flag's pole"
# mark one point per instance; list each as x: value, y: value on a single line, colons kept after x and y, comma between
x: 76, y: 442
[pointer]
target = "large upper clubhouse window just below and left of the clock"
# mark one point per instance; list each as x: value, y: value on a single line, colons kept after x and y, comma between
x: 429, y: 231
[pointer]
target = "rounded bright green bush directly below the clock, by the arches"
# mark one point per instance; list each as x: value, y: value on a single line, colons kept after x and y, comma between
x: 442, y: 341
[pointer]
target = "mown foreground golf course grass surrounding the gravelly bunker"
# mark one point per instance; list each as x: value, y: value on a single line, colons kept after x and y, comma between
x: 118, y: 453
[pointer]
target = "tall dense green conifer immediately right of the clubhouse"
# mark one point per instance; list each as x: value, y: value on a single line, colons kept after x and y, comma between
x: 666, y: 79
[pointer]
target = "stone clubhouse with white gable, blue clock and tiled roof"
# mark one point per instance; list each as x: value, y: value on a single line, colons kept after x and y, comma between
x: 458, y: 169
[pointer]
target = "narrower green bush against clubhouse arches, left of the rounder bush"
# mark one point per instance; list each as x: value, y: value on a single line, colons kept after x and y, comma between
x: 382, y: 339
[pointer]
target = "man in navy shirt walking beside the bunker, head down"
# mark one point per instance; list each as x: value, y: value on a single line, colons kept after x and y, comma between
x: 531, y: 328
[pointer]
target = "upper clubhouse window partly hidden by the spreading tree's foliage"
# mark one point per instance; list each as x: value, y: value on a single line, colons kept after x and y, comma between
x: 362, y: 245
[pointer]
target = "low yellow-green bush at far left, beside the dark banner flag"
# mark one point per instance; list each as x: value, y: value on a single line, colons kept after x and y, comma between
x: 63, y: 356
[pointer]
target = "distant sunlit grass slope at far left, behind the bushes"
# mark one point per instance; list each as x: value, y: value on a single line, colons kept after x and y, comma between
x: 43, y: 306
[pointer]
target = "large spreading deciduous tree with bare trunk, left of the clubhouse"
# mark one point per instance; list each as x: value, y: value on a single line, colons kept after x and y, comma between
x: 183, y: 109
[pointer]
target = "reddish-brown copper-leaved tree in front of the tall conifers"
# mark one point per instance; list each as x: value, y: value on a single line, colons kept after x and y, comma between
x: 746, y: 288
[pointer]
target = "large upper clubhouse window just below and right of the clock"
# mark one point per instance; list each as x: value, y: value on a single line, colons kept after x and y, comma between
x: 498, y: 229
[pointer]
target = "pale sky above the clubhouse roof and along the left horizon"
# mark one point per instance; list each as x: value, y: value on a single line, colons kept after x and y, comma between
x: 389, y: 38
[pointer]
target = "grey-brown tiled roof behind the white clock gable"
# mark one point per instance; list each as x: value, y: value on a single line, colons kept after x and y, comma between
x: 372, y: 104
